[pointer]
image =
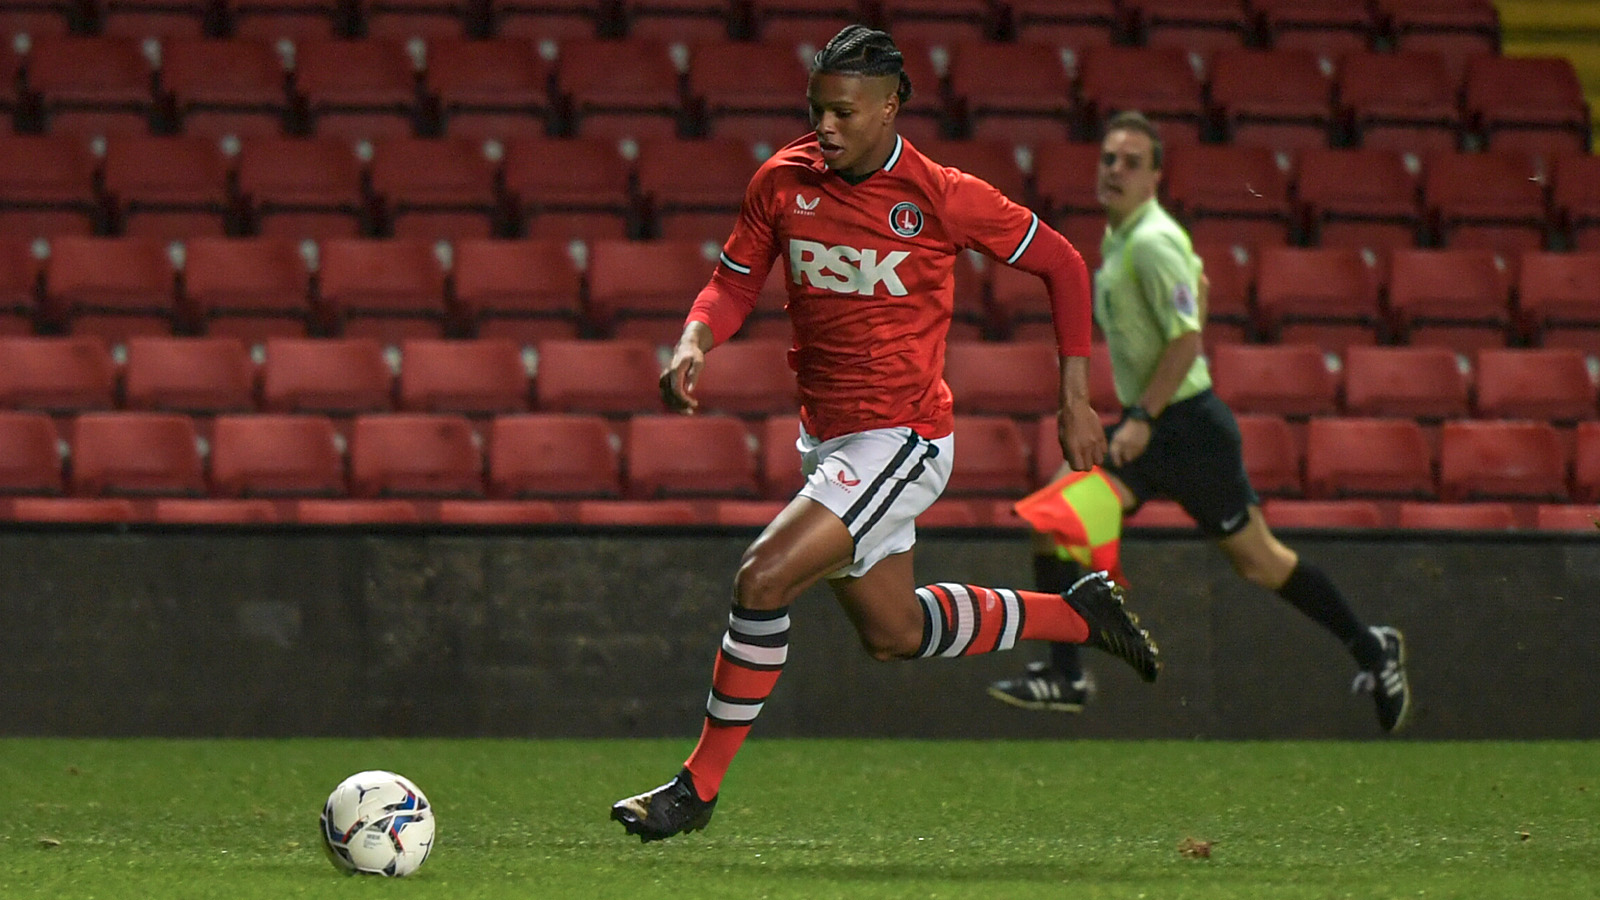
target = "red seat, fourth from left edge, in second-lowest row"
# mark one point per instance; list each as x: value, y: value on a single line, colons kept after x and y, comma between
x: 479, y: 377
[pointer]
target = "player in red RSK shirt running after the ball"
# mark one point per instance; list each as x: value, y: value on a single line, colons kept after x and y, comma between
x: 870, y: 230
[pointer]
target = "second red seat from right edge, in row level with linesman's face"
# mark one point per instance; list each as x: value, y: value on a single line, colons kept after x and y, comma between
x: 1490, y: 199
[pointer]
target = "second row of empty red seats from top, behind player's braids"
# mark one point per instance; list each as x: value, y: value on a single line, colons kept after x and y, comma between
x: 650, y: 89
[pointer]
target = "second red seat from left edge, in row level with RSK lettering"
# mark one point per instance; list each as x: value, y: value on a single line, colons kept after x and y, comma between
x: 113, y: 287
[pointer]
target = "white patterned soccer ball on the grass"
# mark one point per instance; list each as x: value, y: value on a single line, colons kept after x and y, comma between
x: 378, y: 824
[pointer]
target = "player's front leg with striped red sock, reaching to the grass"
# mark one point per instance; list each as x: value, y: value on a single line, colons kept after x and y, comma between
x: 801, y: 547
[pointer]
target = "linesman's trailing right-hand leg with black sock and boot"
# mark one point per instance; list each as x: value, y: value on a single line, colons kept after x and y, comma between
x: 1263, y: 560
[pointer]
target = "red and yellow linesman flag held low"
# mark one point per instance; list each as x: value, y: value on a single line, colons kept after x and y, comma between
x: 1082, y: 513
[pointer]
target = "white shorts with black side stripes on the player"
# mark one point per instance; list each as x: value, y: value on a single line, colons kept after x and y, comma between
x: 878, y: 483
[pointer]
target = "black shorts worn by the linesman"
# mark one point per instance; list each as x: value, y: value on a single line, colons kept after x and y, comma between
x: 1196, y: 457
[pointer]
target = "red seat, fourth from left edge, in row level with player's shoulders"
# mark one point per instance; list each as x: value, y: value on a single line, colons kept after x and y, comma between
x: 438, y: 187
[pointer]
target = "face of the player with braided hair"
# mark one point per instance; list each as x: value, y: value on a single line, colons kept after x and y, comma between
x: 855, y: 119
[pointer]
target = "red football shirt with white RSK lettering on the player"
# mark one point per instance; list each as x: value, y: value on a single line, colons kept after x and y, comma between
x: 870, y: 278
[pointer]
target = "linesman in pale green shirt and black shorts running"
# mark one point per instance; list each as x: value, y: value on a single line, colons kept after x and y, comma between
x: 1178, y: 440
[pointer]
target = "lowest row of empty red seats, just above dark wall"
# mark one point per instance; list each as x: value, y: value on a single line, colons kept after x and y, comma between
x: 538, y: 456
